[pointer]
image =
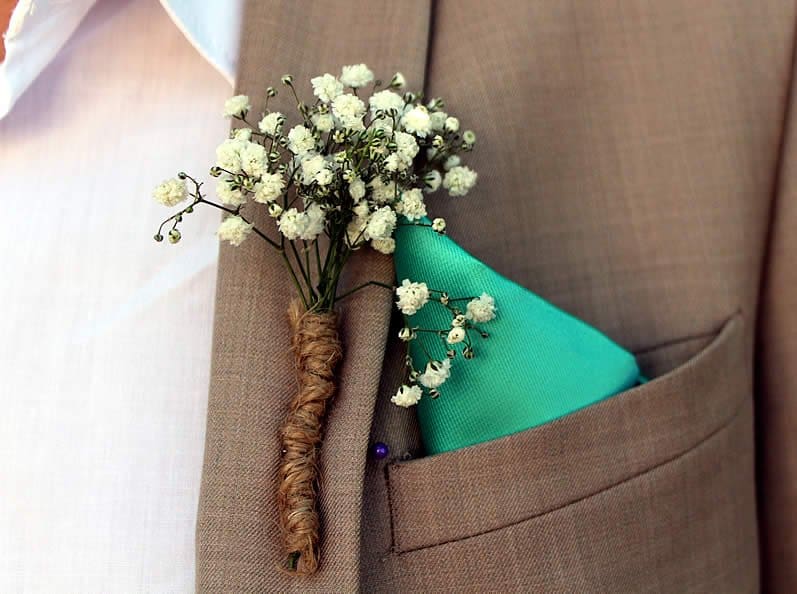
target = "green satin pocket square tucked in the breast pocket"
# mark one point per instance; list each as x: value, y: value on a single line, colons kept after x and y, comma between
x: 538, y: 364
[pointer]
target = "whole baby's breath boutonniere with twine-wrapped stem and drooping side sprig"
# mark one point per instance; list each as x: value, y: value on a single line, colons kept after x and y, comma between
x: 358, y: 163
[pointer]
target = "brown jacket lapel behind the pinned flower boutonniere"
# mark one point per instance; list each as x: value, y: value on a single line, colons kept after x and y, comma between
x: 238, y: 545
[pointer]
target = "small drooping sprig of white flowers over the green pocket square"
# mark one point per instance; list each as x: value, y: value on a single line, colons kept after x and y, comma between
x: 411, y: 297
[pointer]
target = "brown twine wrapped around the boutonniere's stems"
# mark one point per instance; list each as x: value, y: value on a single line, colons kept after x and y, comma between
x: 317, y: 351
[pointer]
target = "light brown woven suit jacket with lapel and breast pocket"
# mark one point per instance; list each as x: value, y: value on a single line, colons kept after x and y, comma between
x: 637, y: 168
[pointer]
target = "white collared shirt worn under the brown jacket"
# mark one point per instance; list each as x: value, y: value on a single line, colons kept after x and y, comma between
x: 104, y: 334
